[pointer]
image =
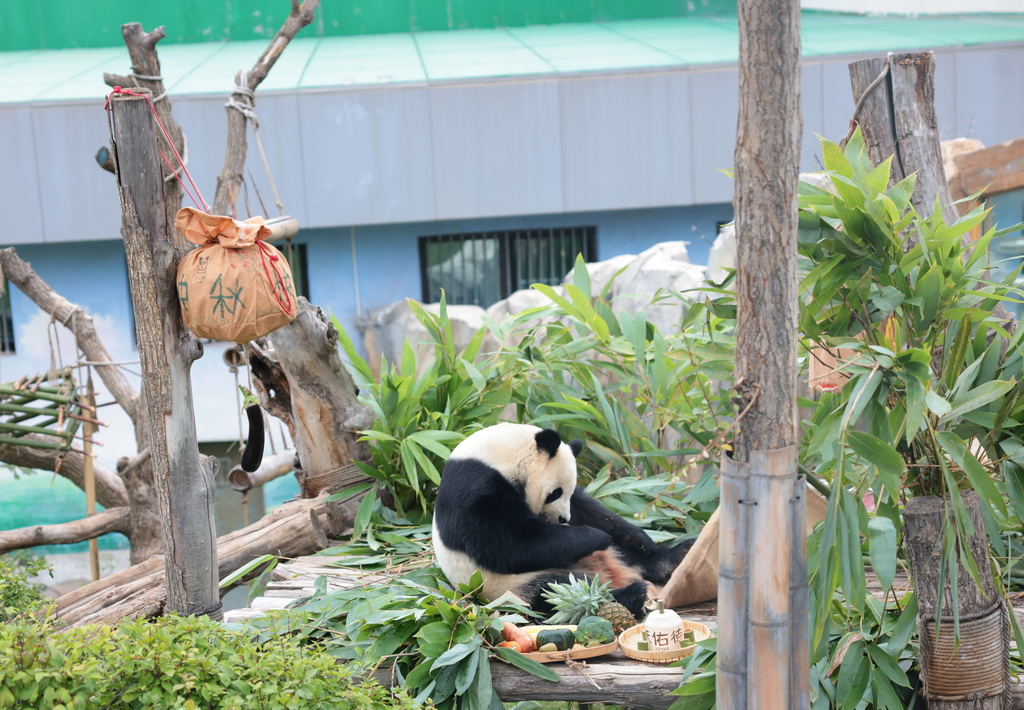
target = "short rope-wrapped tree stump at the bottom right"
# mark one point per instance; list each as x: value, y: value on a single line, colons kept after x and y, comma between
x: 985, y: 645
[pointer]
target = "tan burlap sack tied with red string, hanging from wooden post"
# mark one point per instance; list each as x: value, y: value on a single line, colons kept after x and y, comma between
x: 234, y: 287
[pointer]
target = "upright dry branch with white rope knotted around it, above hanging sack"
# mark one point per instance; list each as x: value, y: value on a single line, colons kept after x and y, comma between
x: 242, y: 104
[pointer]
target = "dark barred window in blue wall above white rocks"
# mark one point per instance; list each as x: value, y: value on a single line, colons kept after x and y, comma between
x: 483, y: 268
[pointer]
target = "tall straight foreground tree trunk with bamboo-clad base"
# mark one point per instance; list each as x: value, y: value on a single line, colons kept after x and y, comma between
x: 774, y: 672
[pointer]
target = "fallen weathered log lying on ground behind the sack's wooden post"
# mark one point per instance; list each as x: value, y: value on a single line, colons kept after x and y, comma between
x: 295, y: 529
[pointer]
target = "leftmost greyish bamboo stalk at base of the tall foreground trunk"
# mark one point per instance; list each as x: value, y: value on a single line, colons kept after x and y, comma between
x: 733, y: 586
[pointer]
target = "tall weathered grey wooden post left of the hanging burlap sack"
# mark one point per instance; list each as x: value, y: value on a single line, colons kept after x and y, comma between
x: 185, y: 481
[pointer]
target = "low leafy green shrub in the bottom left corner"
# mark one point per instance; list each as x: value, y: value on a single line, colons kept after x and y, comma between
x: 174, y: 662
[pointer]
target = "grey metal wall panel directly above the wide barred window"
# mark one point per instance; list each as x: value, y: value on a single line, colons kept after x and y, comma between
x: 497, y: 149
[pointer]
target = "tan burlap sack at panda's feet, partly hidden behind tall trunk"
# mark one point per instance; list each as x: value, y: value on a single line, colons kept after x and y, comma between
x: 696, y: 579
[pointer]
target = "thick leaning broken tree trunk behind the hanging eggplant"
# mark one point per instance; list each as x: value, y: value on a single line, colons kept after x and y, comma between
x: 326, y: 413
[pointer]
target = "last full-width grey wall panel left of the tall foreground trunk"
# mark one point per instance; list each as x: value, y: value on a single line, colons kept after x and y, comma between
x: 626, y: 142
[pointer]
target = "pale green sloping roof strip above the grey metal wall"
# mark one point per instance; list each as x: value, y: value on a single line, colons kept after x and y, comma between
x: 312, y: 63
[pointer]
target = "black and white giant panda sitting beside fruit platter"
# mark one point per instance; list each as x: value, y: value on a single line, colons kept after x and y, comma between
x: 509, y: 507
